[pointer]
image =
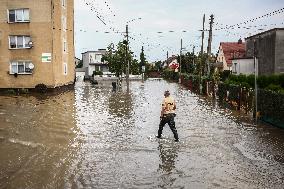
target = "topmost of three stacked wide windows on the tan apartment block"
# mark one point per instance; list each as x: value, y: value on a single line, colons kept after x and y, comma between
x: 19, y: 15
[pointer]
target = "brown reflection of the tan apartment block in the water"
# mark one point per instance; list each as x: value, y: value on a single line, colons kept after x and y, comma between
x: 36, y: 134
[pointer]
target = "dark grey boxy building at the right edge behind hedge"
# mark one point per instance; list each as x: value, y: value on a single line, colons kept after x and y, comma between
x: 268, y: 47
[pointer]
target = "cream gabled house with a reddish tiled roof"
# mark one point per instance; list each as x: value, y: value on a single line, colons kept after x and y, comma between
x: 227, y: 51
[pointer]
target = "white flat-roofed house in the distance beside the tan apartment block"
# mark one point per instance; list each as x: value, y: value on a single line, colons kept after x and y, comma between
x: 92, y: 61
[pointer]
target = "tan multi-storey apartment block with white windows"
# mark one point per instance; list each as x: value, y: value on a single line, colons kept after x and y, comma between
x: 36, y: 43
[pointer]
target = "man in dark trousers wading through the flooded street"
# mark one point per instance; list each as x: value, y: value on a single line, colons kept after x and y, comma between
x: 168, y: 115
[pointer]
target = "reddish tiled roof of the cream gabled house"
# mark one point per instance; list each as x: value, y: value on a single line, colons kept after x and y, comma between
x: 233, y: 50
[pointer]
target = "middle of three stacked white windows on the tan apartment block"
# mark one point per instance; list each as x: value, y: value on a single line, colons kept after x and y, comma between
x: 19, y: 42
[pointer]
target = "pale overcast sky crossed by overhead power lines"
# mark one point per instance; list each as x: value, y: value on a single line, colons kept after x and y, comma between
x: 159, y: 25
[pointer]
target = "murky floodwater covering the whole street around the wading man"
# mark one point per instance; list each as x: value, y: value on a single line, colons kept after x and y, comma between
x: 93, y: 137
